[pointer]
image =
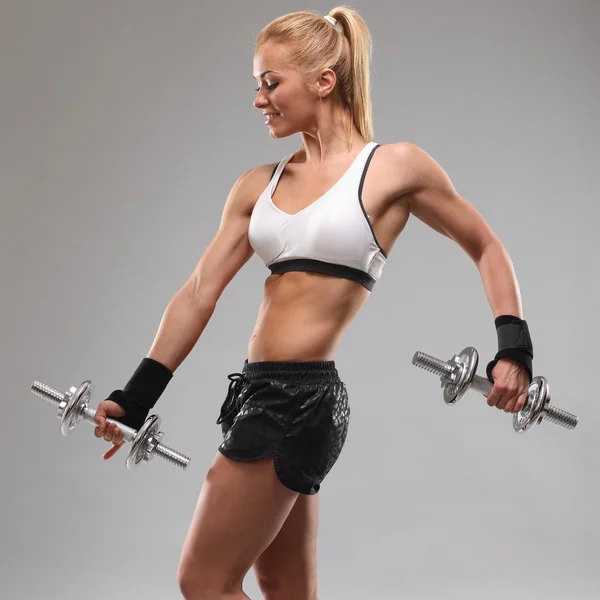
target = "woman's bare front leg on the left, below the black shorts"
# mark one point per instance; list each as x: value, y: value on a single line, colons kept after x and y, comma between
x: 240, y: 510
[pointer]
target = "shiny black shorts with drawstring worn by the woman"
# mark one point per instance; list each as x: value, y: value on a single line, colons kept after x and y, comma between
x: 297, y: 412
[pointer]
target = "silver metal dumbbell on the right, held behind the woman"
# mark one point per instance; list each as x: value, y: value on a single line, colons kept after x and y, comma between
x: 458, y: 375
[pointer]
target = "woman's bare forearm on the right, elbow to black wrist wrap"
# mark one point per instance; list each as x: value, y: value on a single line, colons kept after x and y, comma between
x: 499, y: 281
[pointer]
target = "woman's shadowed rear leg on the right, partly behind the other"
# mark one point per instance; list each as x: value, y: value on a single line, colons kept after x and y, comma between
x: 287, y: 569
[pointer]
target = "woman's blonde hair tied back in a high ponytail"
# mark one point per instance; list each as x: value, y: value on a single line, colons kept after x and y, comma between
x: 315, y: 44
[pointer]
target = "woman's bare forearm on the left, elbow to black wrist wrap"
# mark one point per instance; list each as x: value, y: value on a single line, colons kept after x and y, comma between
x: 181, y: 326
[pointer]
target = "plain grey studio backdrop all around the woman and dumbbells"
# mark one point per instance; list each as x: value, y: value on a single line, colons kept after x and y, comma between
x: 123, y: 126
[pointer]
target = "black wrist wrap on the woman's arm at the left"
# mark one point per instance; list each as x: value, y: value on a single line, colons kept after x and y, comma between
x: 142, y: 392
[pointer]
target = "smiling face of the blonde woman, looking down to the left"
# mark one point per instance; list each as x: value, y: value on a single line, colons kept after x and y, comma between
x: 288, y: 101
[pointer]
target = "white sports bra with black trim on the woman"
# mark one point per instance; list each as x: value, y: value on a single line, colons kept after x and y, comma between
x: 332, y: 235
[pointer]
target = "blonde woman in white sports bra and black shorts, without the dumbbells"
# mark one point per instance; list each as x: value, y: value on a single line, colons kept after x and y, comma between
x: 324, y: 220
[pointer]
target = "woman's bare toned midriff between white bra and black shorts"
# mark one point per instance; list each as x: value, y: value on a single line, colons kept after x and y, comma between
x: 303, y: 316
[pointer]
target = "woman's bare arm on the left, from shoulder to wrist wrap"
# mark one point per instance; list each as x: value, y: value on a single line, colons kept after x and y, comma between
x: 188, y: 313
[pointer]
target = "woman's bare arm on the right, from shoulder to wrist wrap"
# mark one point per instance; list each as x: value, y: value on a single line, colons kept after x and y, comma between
x: 434, y: 200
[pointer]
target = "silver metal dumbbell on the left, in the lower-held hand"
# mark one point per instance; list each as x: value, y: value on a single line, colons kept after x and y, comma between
x: 73, y: 406
